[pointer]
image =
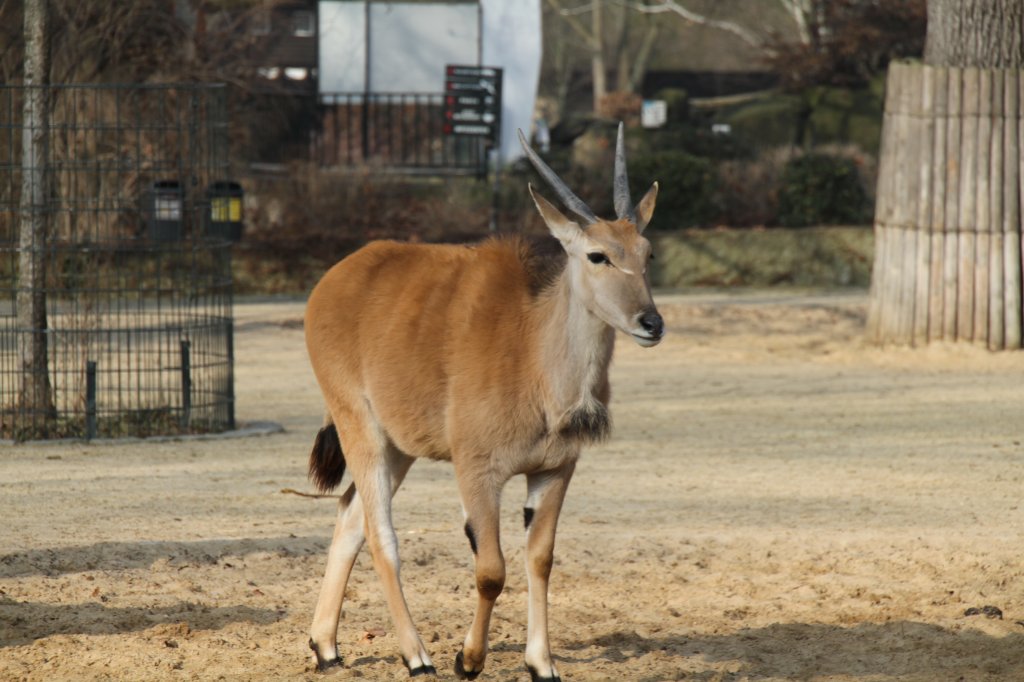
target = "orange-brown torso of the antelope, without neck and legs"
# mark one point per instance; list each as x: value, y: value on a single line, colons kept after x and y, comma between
x: 408, y: 330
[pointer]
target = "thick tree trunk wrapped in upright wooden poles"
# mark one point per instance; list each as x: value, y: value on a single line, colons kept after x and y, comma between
x: 948, y: 219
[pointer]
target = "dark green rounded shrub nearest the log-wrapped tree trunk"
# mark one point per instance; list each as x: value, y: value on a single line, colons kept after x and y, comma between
x: 822, y: 190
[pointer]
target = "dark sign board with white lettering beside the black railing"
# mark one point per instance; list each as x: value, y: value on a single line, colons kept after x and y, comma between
x: 474, y: 102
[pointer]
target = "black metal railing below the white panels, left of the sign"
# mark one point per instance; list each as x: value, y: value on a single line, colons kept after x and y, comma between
x: 404, y: 132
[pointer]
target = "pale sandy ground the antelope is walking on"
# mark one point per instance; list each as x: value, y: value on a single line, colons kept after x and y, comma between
x: 779, y: 503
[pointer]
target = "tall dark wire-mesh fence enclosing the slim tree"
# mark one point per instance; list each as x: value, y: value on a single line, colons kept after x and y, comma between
x: 135, y: 281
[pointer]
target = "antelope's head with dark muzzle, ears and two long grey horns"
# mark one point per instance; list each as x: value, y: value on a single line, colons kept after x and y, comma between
x: 608, y: 260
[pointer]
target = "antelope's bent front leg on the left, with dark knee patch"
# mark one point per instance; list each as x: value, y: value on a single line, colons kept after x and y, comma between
x: 482, y: 507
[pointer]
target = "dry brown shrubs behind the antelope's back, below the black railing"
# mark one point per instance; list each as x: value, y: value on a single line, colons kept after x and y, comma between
x: 301, y: 224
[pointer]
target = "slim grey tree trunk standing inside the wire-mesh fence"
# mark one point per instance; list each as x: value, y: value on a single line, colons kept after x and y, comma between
x: 35, y: 399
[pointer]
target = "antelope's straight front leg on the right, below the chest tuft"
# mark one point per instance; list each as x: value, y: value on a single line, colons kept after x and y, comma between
x: 546, y: 491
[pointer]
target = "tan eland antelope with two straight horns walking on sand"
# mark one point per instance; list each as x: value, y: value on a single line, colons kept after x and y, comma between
x: 494, y: 357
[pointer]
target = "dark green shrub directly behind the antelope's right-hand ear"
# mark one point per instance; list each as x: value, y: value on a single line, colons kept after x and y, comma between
x: 687, y: 184
